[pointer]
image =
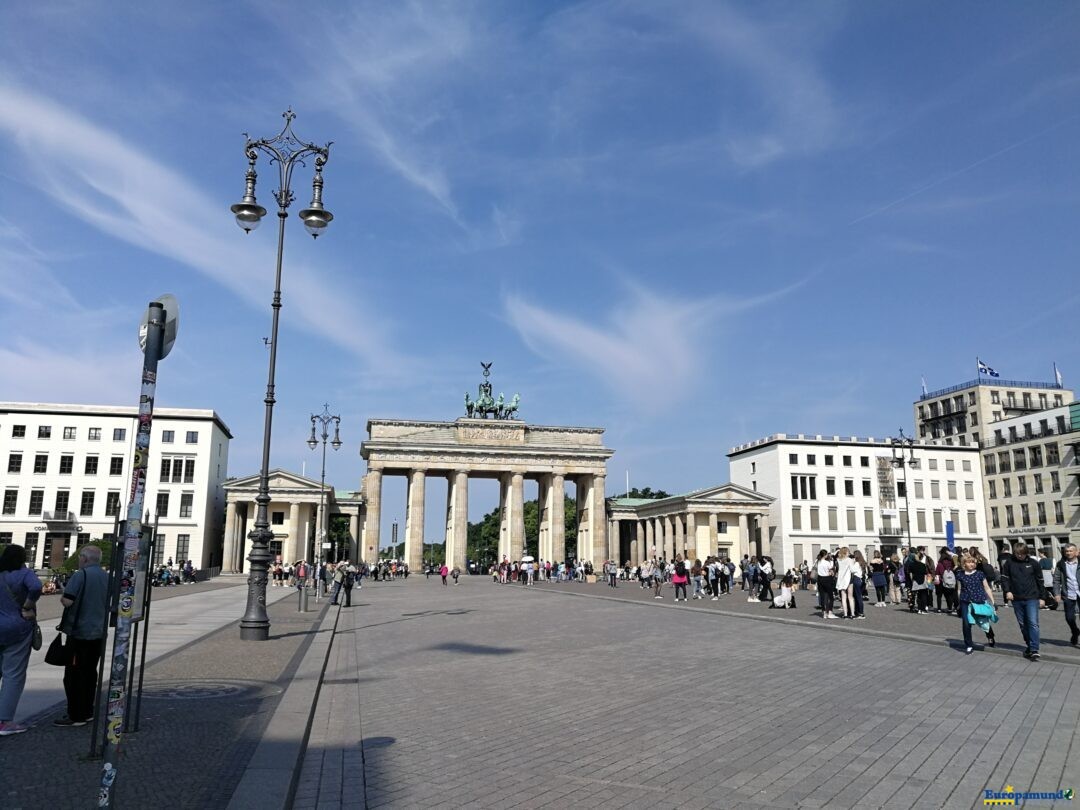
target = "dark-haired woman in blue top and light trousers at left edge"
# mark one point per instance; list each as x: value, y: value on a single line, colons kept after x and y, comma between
x: 20, y: 589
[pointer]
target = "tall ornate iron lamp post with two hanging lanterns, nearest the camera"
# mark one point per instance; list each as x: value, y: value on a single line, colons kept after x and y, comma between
x: 288, y: 152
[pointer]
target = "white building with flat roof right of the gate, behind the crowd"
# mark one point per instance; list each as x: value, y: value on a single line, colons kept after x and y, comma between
x: 831, y: 492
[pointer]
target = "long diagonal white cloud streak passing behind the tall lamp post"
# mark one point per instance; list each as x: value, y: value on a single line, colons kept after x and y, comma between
x: 118, y: 190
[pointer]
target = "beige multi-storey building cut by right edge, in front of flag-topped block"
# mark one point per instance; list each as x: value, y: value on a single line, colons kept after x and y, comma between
x: 1032, y: 475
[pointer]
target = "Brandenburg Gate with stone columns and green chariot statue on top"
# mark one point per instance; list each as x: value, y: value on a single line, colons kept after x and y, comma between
x: 503, y: 449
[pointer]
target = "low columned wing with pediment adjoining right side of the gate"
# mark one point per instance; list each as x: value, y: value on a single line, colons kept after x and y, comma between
x: 726, y: 521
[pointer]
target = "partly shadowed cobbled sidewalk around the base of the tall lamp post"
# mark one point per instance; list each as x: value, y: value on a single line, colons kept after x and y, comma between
x: 204, y: 711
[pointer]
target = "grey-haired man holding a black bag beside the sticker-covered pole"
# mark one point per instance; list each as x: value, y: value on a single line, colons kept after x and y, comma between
x: 86, y: 623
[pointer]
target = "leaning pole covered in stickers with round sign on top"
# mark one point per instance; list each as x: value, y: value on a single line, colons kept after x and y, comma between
x: 133, y: 533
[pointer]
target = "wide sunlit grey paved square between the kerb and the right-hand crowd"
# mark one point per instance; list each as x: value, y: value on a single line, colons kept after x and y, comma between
x: 487, y: 696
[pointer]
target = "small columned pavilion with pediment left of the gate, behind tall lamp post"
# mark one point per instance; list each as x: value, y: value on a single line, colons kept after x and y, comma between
x: 294, y: 519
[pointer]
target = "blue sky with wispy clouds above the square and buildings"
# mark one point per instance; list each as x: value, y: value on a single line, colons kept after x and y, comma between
x: 691, y: 224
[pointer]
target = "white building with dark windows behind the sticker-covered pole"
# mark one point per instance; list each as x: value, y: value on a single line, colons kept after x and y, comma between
x: 65, y: 476
